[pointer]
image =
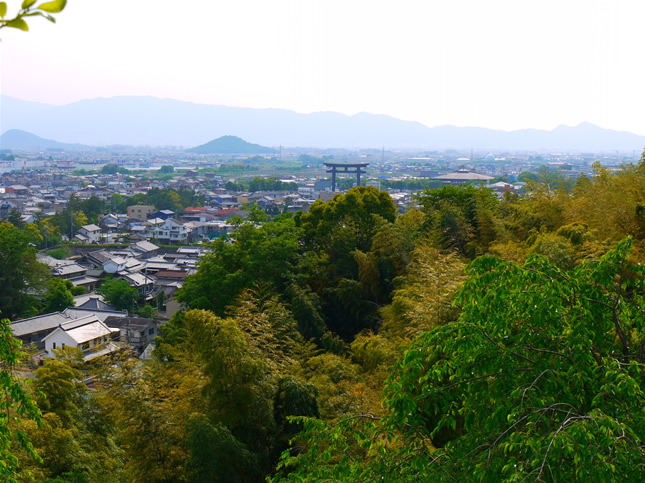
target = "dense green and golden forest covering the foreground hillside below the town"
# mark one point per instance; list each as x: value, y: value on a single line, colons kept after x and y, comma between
x: 469, y: 338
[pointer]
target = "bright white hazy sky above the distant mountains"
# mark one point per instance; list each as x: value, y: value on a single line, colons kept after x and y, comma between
x: 495, y: 63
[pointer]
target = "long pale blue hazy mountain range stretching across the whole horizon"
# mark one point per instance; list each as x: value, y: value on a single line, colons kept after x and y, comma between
x: 166, y: 122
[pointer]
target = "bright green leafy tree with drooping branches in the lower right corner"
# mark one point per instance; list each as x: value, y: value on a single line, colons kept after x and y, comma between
x: 533, y: 381
